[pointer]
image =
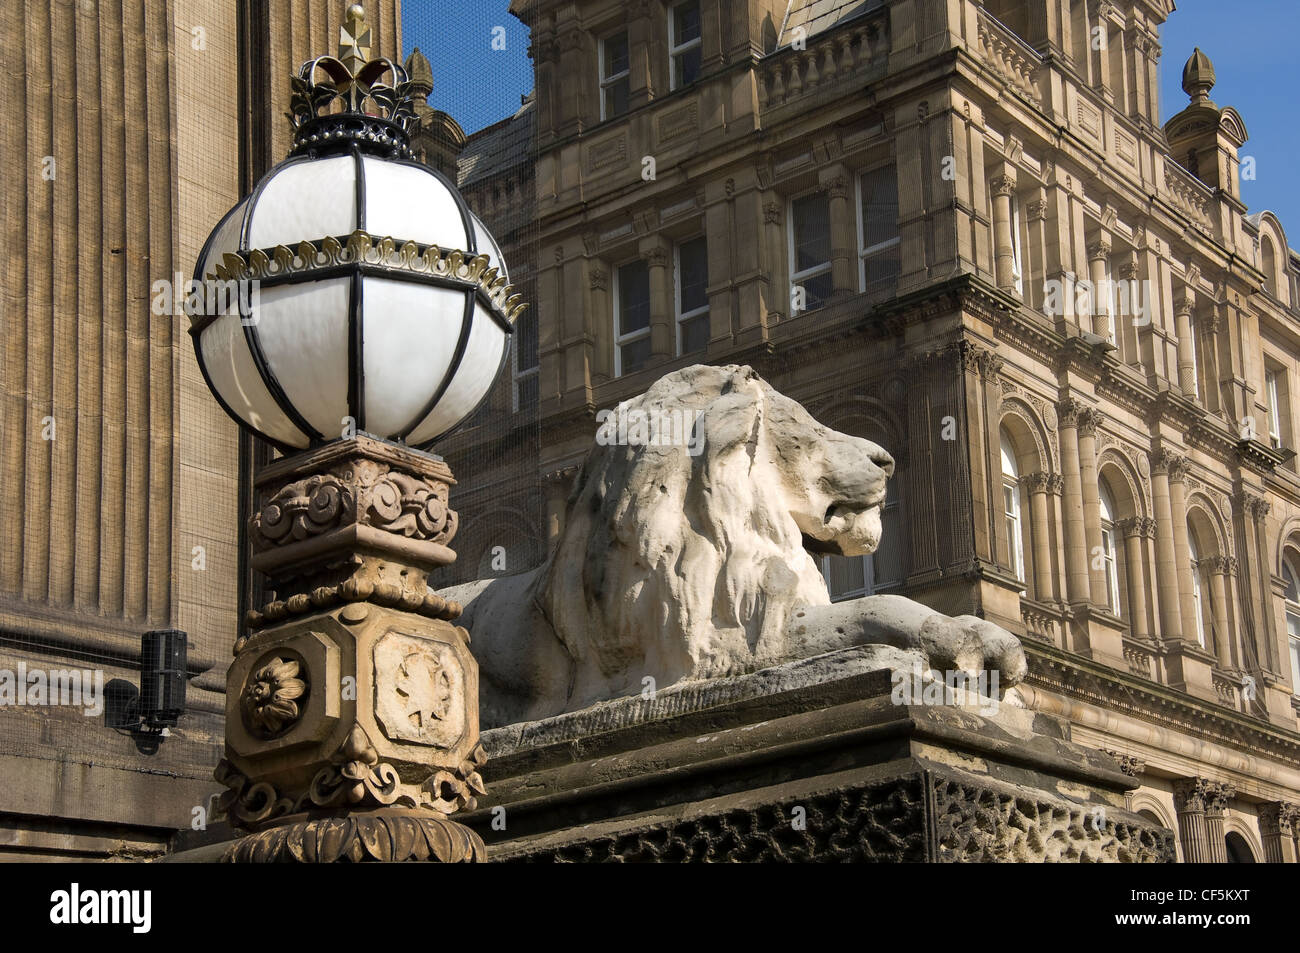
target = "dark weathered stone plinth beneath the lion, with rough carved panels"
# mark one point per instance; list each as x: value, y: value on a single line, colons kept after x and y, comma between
x: 813, y: 761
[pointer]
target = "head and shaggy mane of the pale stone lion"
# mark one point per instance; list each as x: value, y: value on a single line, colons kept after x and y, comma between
x: 688, y: 531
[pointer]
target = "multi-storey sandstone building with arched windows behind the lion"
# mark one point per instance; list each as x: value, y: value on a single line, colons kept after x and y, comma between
x: 961, y: 231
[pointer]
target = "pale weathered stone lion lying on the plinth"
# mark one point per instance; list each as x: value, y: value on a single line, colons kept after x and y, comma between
x: 690, y: 558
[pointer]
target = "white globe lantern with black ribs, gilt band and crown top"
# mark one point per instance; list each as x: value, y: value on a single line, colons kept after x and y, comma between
x: 382, y: 305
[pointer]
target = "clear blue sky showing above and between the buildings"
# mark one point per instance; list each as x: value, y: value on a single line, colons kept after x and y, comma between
x: 1251, y: 44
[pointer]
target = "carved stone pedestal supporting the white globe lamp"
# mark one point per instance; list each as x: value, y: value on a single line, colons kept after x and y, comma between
x: 353, y: 707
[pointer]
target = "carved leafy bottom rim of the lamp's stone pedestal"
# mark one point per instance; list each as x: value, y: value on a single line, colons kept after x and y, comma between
x: 388, y: 835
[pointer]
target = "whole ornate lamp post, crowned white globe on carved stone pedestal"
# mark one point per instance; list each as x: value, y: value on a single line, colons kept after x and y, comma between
x: 375, y: 315
